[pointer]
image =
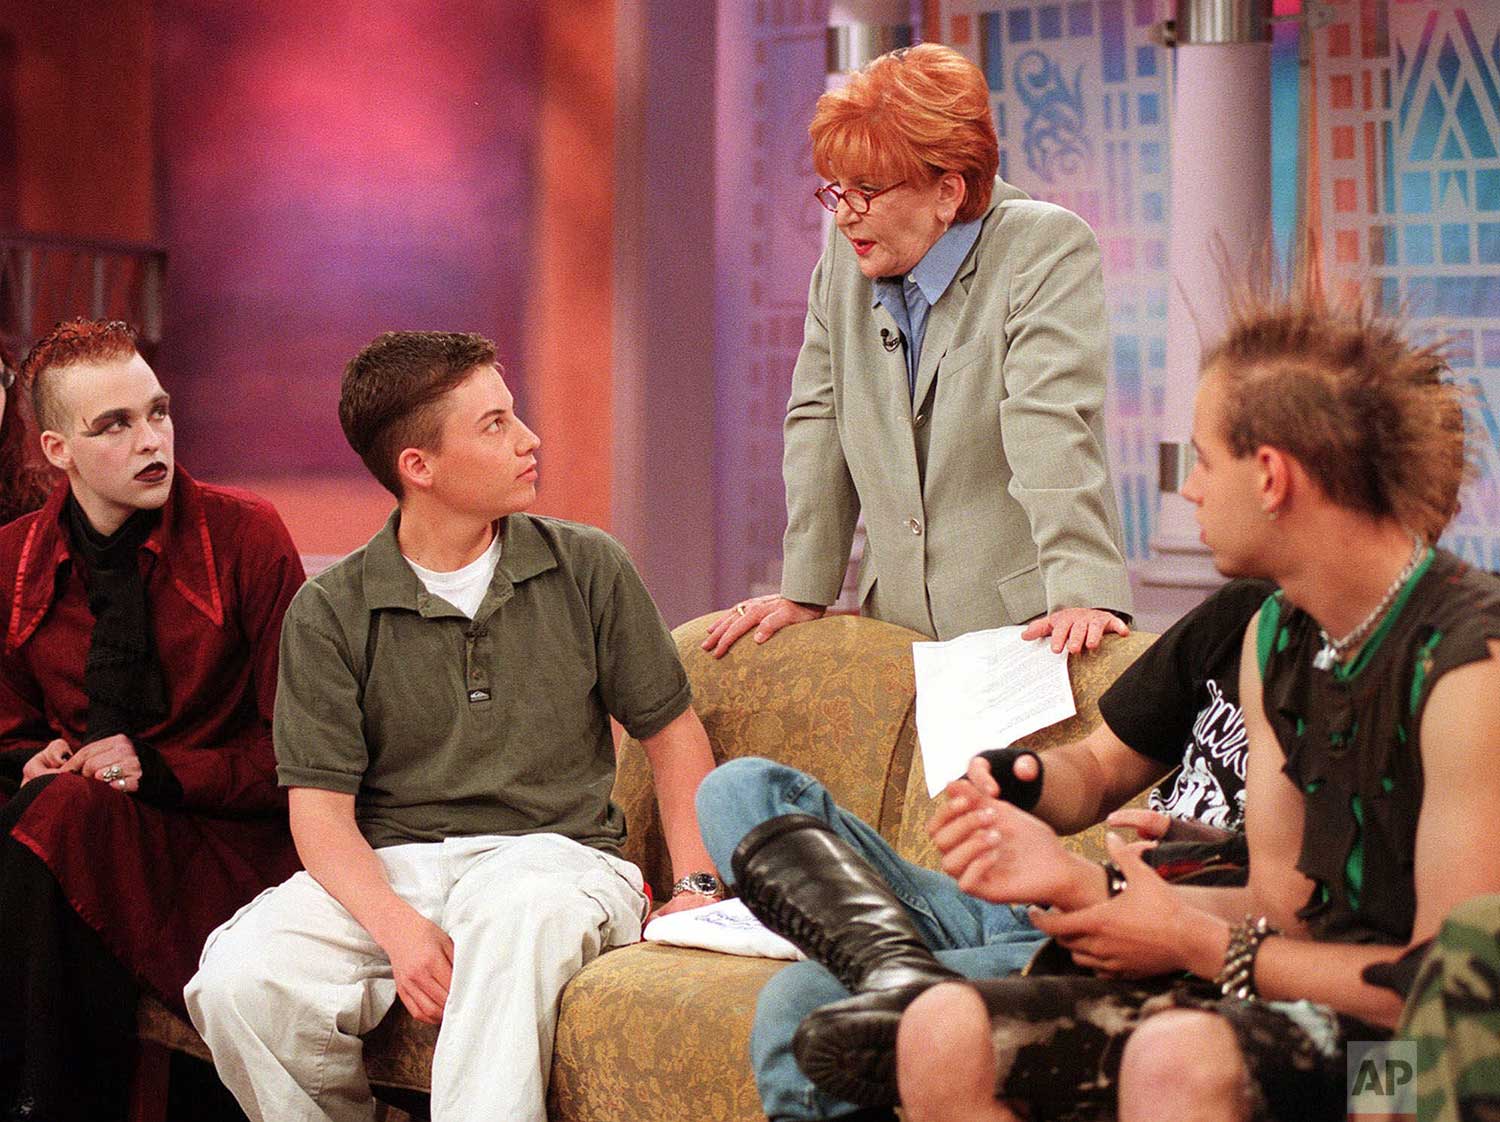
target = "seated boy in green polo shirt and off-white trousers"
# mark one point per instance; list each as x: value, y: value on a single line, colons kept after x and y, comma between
x: 443, y: 724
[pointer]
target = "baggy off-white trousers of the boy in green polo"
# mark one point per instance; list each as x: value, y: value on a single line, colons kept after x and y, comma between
x: 289, y: 985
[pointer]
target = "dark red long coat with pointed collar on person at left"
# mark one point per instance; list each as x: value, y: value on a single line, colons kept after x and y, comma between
x: 220, y: 572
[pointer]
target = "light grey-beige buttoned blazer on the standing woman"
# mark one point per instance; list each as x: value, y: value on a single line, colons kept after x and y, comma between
x: 988, y: 497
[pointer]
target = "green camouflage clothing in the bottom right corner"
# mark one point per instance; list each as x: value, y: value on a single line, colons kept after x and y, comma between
x: 1454, y: 1018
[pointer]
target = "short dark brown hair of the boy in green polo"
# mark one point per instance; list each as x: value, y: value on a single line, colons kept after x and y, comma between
x: 392, y: 389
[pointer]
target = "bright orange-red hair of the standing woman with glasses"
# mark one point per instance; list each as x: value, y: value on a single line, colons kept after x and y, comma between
x: 911, y: 115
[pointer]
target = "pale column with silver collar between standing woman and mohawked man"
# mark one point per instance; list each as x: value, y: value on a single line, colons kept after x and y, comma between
x: 1220, y: 214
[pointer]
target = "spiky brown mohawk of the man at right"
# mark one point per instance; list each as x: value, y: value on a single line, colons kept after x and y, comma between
x: 1367, y: 413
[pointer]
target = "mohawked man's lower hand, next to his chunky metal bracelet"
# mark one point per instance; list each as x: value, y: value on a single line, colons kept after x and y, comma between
x: 1145, y: 931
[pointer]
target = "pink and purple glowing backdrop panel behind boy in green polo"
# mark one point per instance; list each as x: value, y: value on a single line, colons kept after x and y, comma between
x: 331, y: 172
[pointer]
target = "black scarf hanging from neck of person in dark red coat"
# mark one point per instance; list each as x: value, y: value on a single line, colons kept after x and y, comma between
x: 122, y: 674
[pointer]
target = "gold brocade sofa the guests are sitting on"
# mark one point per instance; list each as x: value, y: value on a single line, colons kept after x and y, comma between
x: 661, y: 1034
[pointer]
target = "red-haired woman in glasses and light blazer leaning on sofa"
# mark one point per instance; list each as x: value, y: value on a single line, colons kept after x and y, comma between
x: 950, y: 385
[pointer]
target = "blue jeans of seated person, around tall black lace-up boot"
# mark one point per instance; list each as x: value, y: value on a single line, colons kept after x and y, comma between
x: 968, y: 935
